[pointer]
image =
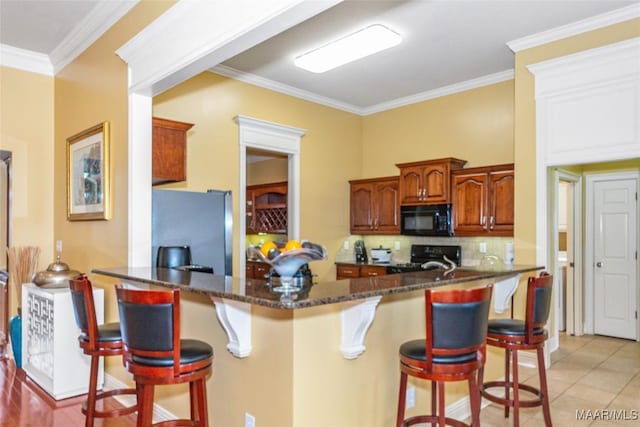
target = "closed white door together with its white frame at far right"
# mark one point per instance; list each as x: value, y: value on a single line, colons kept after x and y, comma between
x: 612, y: 262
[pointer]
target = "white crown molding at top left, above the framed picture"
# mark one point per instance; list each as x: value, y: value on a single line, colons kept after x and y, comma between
x: 90, y: 29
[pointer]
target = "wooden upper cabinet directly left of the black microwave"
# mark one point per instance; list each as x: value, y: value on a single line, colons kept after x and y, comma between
x: 375, y: 206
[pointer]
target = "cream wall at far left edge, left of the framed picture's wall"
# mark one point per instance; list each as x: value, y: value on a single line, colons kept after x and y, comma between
x: 26, y: 129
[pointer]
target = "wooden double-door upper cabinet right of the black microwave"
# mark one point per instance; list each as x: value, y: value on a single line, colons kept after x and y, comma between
x: 483, y: 201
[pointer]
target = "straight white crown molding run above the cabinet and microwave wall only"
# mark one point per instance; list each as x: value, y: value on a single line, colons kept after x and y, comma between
x: 442, y: 91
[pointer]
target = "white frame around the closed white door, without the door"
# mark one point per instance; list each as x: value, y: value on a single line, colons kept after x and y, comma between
x: 589, y: 288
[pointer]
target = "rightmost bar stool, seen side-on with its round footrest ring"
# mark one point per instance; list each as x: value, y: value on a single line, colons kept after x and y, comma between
x: 514, y: 335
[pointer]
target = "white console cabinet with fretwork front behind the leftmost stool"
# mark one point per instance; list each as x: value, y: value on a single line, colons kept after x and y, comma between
x: 51, y: 355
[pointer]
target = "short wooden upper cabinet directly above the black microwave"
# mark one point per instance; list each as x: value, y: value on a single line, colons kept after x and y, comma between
x: 427, y: 182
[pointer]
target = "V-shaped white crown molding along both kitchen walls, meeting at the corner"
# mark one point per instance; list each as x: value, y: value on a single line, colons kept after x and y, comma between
x: 349, y: 108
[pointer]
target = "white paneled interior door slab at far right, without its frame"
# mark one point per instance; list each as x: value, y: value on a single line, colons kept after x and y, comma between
x: 615, y: 263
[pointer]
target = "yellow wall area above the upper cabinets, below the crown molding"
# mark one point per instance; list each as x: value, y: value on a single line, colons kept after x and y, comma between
x: 475, y: 125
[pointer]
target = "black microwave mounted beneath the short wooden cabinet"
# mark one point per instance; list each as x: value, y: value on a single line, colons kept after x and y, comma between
x: 426, y: 220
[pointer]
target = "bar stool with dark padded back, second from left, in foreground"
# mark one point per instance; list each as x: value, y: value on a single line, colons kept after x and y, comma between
x: 155, y: 354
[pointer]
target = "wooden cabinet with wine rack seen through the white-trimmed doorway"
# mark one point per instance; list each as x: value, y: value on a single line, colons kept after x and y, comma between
x: 266, y: 208
